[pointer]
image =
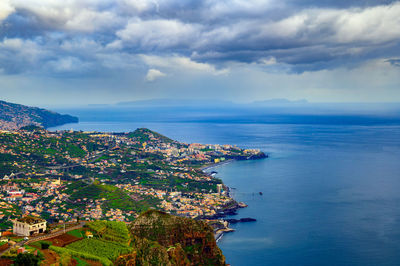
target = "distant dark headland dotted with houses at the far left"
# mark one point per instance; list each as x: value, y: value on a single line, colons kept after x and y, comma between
x: 14, y: 116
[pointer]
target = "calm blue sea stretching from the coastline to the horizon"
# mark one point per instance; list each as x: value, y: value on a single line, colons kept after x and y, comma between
x: 331, y: 190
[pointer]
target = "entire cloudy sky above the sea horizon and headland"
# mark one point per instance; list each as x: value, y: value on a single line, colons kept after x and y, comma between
x: 101, y: 51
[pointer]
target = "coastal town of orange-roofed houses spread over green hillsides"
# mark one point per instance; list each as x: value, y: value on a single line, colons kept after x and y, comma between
x: 68, y: 176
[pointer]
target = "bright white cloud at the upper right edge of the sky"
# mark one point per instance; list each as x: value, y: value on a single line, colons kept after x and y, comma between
x: 377, y: 24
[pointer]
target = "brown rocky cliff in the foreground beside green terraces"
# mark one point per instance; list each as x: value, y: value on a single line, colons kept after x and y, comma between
x: 163, y: 239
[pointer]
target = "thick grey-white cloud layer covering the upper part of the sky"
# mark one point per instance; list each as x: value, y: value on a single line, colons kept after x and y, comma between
x: 83, y: 36
